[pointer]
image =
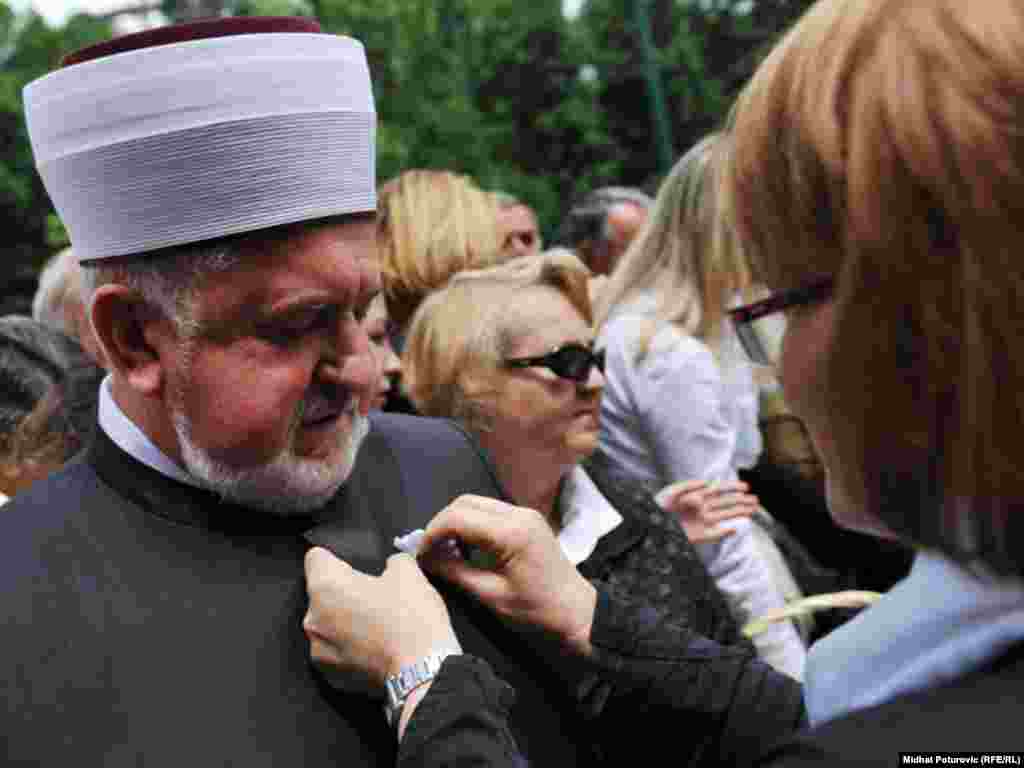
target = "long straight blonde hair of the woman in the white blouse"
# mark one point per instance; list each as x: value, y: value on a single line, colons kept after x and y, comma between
x: 687, y: 254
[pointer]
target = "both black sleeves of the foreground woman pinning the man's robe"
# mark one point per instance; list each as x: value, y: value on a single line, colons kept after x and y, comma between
x: 700, y: 703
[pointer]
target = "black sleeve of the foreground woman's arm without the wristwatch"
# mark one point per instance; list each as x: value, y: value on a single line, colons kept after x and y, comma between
x: 666, y: 686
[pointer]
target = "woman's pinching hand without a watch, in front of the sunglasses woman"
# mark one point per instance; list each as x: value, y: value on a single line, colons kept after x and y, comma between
x: 530, y: 581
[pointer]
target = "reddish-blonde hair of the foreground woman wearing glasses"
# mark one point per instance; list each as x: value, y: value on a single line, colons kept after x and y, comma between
x: 881, y: 144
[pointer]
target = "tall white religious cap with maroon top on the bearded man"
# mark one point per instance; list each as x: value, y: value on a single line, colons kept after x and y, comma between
x: 199, y: 132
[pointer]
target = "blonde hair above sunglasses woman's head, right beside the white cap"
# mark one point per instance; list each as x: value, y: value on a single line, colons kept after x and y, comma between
x: 432, y: 226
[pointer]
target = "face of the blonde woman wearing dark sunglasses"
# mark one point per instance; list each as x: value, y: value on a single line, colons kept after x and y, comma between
x: 539, y: 417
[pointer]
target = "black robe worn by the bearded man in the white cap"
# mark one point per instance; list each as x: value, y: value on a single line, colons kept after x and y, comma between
x: 147, y: 623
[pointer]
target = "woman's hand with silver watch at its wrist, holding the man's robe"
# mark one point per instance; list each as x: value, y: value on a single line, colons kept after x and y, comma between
x: 364, y: 628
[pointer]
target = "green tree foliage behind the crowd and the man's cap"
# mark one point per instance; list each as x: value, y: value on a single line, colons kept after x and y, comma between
x: 507, y: 92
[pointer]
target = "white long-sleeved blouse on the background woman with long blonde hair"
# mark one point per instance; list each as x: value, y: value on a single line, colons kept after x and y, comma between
x: 678, y: 414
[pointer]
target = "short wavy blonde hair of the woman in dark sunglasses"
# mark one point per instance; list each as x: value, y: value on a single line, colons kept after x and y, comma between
x: 460, y: 335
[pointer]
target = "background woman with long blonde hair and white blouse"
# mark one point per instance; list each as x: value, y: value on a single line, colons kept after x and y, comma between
x: 681, y: 403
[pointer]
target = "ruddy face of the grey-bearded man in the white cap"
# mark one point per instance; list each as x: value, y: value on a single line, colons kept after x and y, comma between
x: 269, y: 401
